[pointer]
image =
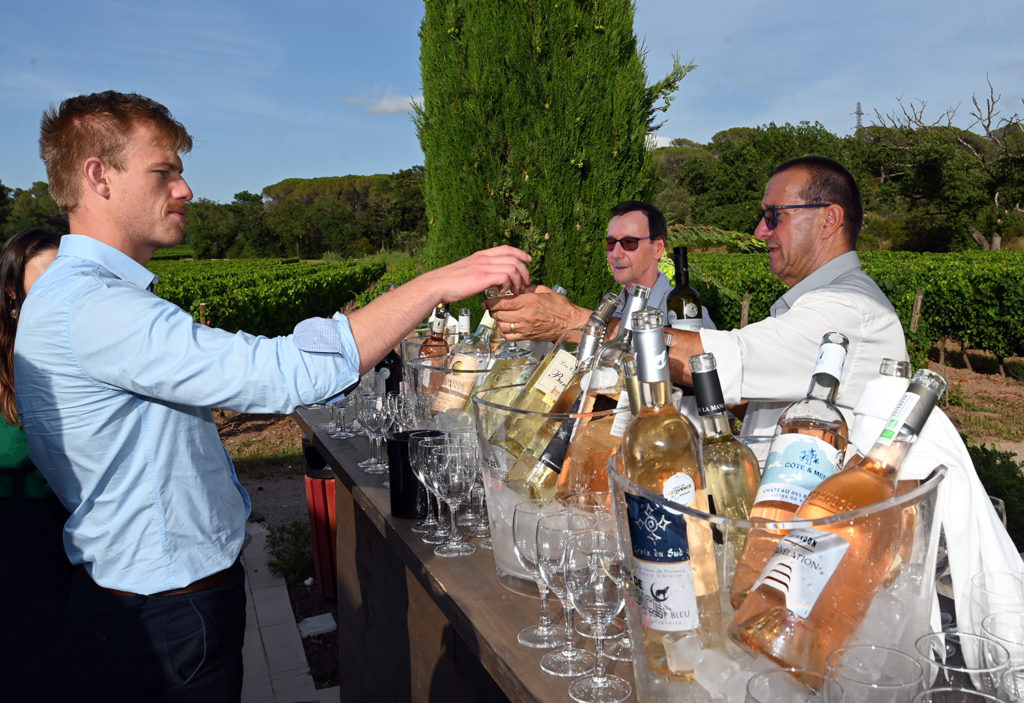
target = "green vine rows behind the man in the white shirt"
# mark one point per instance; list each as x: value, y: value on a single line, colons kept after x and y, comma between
x: 974, y: 298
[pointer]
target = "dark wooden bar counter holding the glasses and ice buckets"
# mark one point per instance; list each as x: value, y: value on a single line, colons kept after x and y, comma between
x: 414, y: 627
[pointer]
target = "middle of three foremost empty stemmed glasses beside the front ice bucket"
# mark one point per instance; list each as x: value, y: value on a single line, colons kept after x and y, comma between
x: 553, y: 535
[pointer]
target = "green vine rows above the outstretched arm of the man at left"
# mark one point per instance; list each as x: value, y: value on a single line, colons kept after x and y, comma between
x: 264, y: 296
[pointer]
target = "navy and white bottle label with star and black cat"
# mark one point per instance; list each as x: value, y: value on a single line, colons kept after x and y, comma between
x: 662, y: 573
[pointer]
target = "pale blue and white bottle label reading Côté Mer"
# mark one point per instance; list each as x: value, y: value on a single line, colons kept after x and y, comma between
x: 796, y: 465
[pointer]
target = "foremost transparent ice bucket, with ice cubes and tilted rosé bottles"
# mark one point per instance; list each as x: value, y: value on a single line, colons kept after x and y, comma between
x: 707, y: 665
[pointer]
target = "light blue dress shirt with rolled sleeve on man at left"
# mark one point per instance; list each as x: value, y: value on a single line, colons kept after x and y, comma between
x: 114, y: 387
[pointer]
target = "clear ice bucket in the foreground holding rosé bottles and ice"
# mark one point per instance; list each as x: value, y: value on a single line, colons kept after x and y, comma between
x: 900, y: 614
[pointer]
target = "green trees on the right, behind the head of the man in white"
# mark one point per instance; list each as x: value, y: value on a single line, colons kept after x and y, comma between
x: 927, y: 186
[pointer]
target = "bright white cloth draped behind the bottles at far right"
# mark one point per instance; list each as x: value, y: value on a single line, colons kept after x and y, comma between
x: 976, y: 540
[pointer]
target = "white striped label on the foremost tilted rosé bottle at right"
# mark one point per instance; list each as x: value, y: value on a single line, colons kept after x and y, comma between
x: 801, y: 567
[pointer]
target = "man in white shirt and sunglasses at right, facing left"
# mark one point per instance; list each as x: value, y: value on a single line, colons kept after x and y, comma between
x: 810, y: 218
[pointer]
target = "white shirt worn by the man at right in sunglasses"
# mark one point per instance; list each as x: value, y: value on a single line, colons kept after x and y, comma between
x: 770, y: 363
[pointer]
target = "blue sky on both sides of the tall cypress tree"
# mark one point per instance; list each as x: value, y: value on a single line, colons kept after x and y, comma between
x: 322, y: 87
